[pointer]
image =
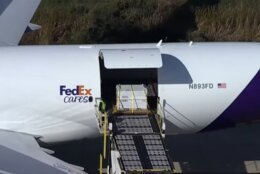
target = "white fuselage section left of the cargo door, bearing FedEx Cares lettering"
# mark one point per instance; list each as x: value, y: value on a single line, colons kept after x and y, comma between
x: 31, y: 78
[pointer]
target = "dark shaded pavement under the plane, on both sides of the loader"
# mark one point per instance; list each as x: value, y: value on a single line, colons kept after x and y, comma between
x: 235, y: 150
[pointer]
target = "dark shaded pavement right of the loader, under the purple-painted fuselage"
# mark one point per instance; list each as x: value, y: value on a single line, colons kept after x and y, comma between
x: 234, y: 150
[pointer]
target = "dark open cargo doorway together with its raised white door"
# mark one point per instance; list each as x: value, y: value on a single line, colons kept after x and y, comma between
x: 129, y: 67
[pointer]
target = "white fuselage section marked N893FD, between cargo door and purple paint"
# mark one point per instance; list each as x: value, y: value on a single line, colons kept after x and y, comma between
x: 190, y: 110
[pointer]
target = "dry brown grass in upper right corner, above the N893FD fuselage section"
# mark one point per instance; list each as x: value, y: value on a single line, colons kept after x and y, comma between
x: 230, y: 20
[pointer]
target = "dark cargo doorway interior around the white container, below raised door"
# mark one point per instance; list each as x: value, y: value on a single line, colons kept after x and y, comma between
x: 113, y: 79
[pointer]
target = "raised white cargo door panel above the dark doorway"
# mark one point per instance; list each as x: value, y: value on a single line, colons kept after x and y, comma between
x: 131, y: 58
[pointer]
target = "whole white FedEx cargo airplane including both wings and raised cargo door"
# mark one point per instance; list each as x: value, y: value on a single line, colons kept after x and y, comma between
x: 48, y: 92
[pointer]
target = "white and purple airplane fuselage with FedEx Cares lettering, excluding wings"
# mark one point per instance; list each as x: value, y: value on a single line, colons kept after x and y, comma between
x: 50, y: 91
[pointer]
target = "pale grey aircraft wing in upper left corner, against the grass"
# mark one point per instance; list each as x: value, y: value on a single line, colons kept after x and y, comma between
x: 15, y: 16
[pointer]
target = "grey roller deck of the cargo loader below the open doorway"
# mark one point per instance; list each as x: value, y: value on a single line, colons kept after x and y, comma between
x: 140, y: 144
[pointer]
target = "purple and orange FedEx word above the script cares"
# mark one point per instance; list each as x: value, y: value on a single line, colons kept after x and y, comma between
x: 79, y: 90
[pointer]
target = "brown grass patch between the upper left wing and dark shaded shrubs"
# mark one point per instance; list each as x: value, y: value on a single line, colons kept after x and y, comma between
x: 61, y: 21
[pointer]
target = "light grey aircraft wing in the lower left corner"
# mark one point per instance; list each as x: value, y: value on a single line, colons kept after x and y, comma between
x: 20, y: 153
